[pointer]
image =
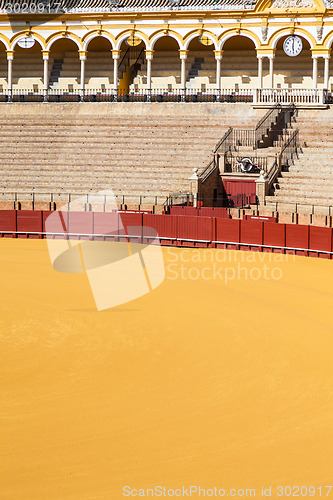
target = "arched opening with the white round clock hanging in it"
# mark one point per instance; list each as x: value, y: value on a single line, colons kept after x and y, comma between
x: 294, y: 72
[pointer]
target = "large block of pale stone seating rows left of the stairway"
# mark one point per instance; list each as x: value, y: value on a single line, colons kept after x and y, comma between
x: 135, y: 149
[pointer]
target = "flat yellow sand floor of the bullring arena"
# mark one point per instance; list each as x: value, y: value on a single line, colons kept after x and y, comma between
x: 199, y: 382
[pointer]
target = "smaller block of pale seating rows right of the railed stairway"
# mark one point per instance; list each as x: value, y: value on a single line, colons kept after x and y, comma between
x: 310, y: 179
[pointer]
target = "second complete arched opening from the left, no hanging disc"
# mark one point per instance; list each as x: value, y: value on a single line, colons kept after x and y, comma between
x: 64, y: 66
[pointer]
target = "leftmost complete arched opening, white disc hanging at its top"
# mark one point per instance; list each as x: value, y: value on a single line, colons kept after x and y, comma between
x: 28, y: 68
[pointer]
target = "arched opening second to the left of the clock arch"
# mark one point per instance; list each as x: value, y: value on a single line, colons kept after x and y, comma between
x: 201, y: 64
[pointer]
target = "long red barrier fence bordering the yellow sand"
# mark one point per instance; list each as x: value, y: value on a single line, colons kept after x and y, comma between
x: 175, y: 230
